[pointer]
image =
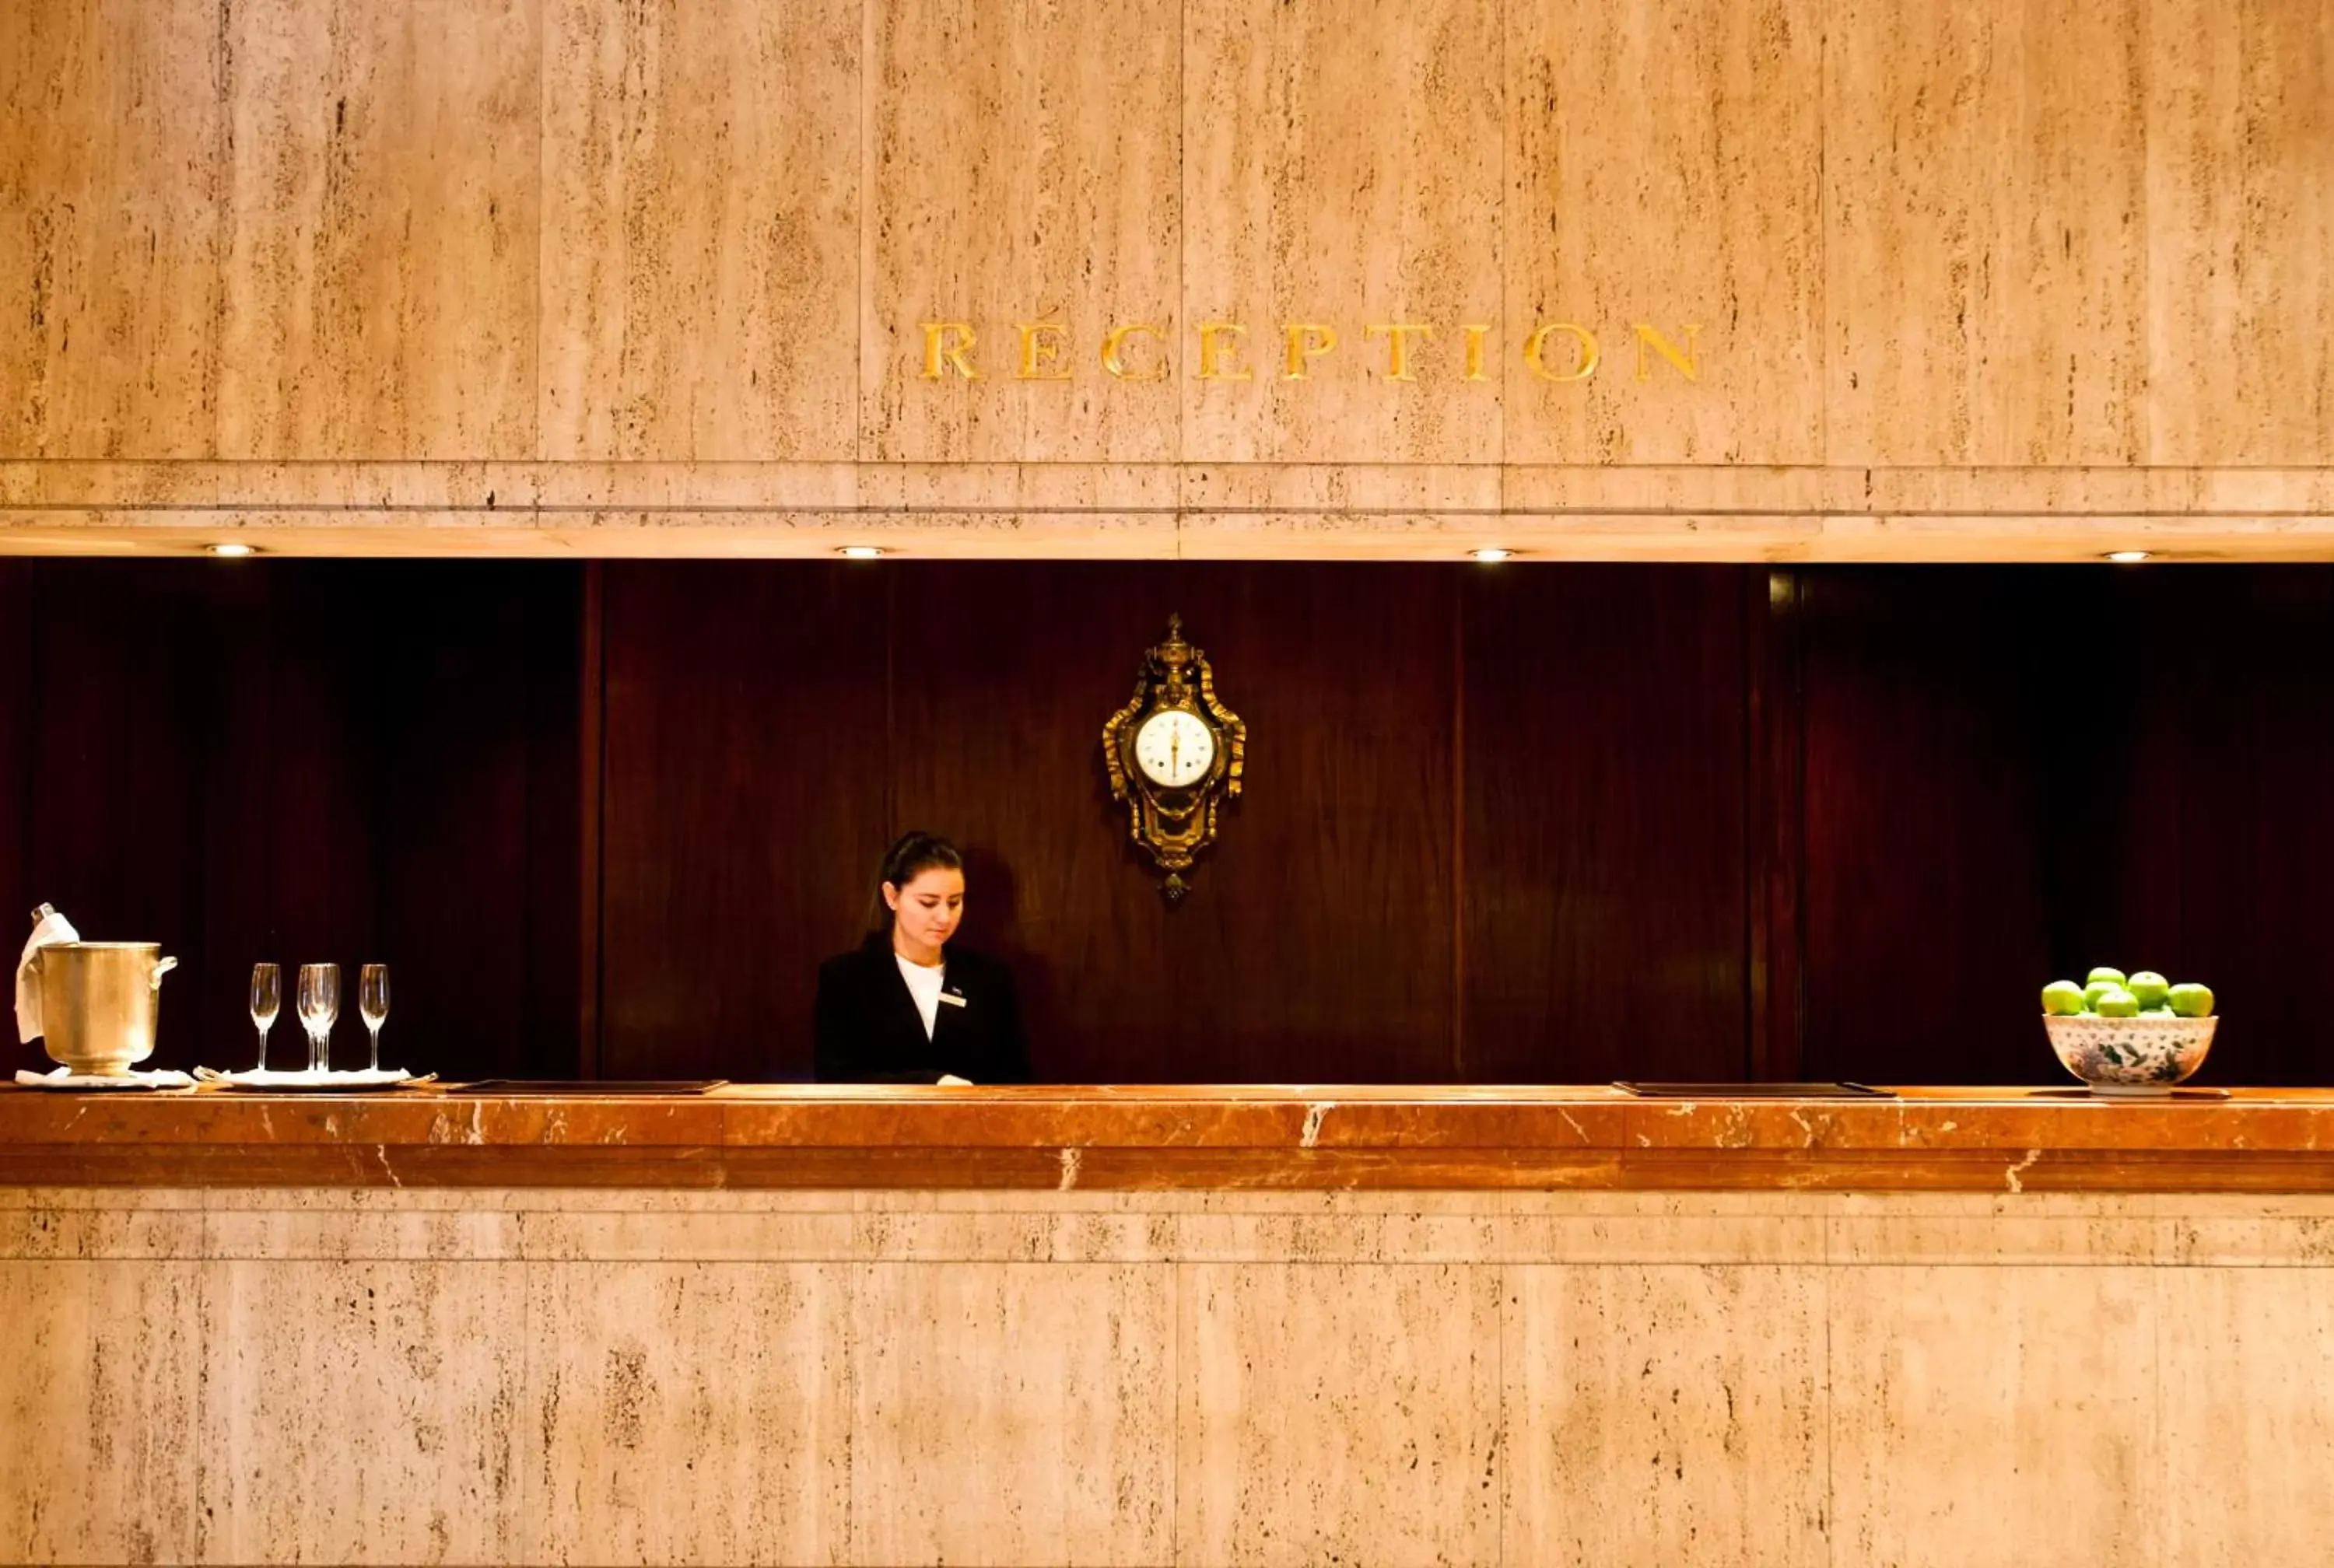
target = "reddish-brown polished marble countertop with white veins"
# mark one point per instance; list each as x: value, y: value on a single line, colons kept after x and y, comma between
x: 1178, y: 1137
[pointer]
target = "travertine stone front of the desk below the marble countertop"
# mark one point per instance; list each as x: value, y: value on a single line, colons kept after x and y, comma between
x: 858, y: 1378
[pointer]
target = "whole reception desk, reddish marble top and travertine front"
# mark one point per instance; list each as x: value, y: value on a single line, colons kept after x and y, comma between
x: 1166, y: 1326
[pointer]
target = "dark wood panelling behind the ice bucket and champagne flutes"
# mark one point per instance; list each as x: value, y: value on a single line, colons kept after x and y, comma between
x: 316, y: 762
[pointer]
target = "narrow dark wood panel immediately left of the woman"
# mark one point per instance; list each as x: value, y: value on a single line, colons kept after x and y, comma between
x: 743, y: 801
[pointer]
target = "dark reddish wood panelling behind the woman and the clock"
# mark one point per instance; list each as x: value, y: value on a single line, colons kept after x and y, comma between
x: 1313, y: 946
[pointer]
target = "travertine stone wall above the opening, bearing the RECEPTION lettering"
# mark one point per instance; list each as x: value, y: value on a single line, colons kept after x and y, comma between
x: 652, y: 279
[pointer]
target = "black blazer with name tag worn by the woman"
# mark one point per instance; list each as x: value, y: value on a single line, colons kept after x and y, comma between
x: 867, y: 1028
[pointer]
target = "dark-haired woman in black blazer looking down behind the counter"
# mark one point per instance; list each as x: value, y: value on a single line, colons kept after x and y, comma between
x: 907, y: 1007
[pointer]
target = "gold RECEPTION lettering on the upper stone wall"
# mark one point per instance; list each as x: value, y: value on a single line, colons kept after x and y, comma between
x: 1047, y: 351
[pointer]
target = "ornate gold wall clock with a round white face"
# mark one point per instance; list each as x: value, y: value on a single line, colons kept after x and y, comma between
x: 1175, y: 755
